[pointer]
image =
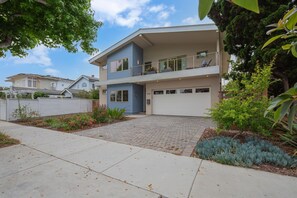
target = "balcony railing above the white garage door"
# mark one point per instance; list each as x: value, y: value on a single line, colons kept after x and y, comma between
x: 176, y: 64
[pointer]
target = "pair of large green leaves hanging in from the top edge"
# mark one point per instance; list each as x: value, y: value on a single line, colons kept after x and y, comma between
x: 205, y: 6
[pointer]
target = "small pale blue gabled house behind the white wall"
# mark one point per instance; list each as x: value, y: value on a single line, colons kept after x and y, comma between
x: 83, y: 83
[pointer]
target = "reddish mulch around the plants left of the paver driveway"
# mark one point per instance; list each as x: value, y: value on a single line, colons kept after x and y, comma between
x: 39, y: 122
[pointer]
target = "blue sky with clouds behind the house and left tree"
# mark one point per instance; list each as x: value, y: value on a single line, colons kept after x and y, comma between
x: 120, y: 18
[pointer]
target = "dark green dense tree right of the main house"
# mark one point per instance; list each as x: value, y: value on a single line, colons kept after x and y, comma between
x: 246, y: 34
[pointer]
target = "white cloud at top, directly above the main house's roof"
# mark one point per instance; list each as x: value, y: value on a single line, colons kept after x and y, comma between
x: 128, y: 13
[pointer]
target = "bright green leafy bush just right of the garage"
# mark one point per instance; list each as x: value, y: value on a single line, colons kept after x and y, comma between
x: 245, y: 107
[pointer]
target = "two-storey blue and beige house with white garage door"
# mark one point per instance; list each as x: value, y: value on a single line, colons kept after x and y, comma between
x: 166, y: 71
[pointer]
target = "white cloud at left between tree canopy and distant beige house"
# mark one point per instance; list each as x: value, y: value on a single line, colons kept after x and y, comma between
x: 39, y: 55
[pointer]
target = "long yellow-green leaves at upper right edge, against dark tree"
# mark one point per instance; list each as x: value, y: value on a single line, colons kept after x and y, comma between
x: 287, y: 24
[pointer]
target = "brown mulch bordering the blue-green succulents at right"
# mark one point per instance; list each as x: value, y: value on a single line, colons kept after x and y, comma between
x: 210, y: 133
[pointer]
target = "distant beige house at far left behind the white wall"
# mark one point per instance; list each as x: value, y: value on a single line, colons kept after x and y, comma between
x: 30, y: 83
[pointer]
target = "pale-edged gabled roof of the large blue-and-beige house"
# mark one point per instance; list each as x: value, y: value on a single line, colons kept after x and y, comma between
x: 141, y: 32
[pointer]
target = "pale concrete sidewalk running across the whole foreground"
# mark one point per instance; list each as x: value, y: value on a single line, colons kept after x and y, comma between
x: 55, y: 164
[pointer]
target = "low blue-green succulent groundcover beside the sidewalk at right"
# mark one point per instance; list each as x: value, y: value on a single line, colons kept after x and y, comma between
x: 227, y: 150
